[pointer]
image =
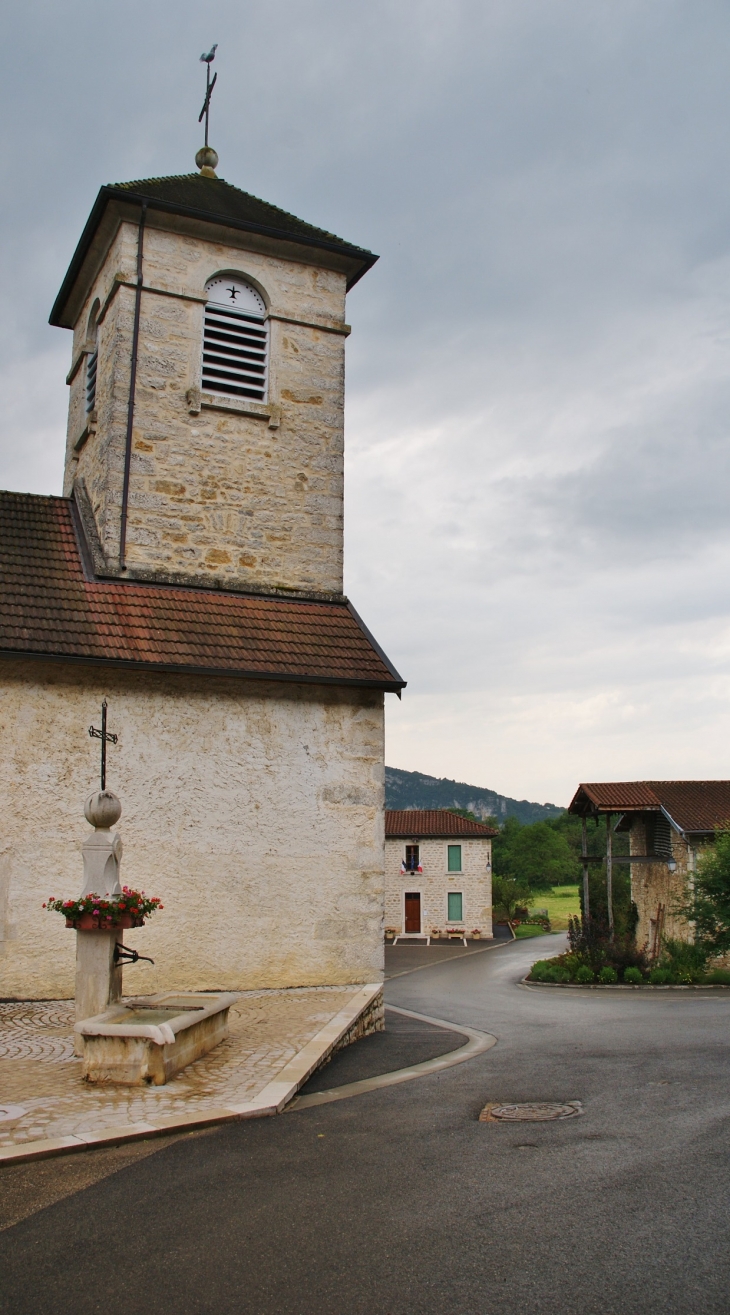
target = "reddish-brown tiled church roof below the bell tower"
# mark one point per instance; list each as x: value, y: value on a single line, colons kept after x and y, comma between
x: 51, y: 608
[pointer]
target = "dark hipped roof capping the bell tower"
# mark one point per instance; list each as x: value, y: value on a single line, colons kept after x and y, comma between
x: 218, y: 202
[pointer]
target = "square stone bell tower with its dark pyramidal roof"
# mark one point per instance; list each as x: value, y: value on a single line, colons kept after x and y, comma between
x: 206, y: 420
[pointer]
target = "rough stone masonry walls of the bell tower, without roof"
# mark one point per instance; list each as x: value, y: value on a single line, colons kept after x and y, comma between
x: 223, y: 491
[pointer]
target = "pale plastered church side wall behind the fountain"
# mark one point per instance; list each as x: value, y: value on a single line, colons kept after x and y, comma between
x: 253, y: 809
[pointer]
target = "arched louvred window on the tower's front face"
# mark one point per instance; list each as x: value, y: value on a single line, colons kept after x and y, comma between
x: 235, y: 340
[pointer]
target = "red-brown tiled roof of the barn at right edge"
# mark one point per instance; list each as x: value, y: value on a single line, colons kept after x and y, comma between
x: 694, y: 805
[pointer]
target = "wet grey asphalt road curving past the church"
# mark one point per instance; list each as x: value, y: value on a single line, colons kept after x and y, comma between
x: 401, y: 1203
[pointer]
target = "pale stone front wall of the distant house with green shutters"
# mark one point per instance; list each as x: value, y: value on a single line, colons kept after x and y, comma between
x: 436, y: 882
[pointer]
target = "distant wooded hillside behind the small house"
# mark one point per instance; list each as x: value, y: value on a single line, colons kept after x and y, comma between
x: 416, y: 791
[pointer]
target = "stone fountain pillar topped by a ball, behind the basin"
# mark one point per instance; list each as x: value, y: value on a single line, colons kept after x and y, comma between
x: 99, y: 979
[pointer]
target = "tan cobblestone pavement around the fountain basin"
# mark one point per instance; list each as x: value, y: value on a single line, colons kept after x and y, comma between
x: 40, y: 1072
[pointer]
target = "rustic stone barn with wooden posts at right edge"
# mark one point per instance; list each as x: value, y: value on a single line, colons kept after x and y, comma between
x: 668, y: 823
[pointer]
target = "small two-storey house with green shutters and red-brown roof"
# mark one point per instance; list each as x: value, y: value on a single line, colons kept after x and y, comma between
x: 439, y: 874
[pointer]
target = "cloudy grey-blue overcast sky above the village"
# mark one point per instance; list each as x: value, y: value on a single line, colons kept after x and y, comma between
x: 539, y: 378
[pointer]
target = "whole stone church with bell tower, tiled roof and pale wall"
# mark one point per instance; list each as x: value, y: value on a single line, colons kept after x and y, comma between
x: 193, y: 577
